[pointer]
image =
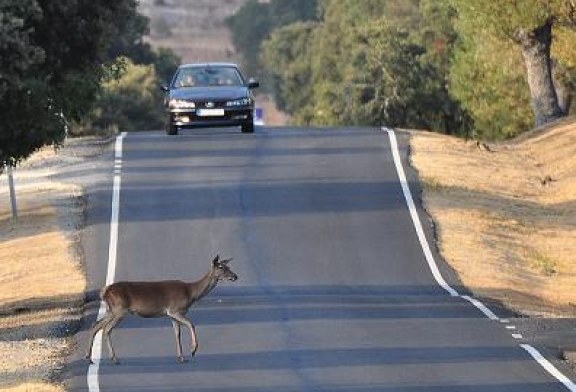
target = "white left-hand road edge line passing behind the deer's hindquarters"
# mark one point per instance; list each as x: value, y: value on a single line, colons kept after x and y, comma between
x: 92, y: 375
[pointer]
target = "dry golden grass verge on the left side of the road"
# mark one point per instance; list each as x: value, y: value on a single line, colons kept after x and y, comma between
x: 41, y: 283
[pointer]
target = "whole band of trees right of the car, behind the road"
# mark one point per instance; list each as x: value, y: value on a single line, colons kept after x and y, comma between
x: 481, y: 68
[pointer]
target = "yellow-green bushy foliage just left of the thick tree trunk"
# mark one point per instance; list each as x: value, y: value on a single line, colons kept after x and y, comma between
x: 491, y: 86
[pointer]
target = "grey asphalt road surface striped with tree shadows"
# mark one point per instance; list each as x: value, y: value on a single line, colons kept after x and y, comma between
x: 334, y: 294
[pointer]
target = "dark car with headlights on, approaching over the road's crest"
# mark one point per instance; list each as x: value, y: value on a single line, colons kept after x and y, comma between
x: 209, y: 95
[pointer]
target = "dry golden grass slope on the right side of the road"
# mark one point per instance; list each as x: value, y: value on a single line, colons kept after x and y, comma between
x: 506, y: 216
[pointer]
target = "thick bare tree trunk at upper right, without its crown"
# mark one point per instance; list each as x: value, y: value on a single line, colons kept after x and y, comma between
x: 535, y: 46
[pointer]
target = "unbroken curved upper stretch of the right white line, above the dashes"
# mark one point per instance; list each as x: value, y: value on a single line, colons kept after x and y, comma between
x: 414, y: 214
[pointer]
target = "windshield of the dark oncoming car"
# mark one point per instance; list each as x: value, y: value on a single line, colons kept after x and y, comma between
x: 208, y: 76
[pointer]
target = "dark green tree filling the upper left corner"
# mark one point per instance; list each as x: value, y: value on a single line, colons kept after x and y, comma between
x: 53, y: 55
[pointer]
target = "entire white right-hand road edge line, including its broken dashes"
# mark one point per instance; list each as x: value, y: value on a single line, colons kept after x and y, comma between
x: 437, y: 275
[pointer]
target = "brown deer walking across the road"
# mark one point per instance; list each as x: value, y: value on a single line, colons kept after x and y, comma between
x: 168, y: 298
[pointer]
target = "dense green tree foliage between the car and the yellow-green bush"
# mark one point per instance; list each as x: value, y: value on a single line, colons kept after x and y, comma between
x: 369, y: 62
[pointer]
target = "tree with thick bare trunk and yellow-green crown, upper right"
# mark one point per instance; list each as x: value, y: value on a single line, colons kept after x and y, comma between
x: 529, y: 24
